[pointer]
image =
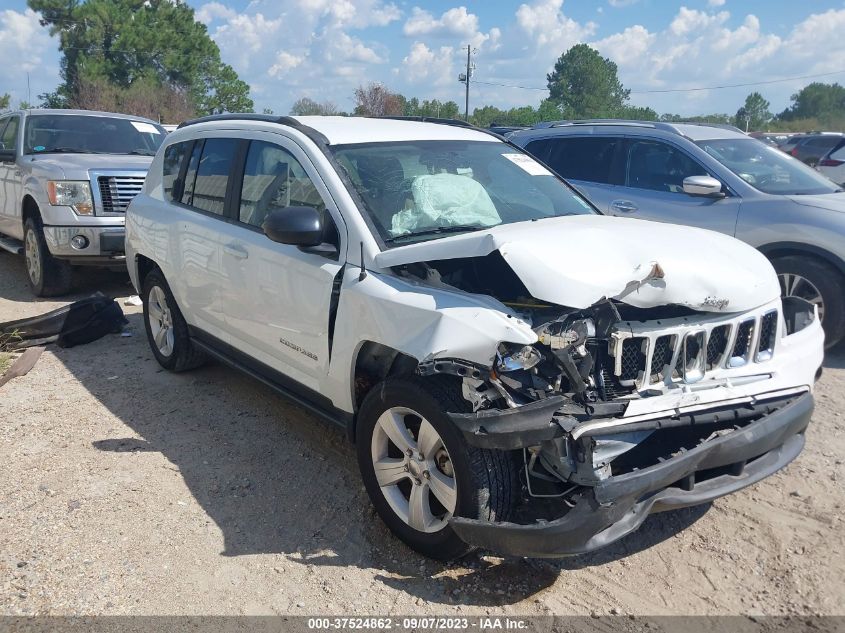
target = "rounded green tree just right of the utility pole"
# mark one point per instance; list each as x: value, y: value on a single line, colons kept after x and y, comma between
x: 585, y: 85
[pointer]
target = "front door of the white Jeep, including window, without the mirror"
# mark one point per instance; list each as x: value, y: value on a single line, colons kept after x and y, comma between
x: 282, y: 294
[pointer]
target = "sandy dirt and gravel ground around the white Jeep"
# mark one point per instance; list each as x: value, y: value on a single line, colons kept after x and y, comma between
x: 128, y: 490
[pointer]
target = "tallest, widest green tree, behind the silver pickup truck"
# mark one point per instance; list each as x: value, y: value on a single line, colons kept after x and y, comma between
x: 124, y: 41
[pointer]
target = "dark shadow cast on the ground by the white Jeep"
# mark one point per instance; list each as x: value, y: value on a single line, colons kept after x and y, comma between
x: 276, y: 480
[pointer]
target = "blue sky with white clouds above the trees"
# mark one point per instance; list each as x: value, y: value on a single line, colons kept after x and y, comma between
x: 324, y: 49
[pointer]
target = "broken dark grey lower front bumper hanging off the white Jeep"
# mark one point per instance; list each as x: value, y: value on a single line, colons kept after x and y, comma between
x: 618, y: 505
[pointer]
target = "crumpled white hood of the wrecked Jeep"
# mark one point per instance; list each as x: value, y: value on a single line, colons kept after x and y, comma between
x: 578, y: 260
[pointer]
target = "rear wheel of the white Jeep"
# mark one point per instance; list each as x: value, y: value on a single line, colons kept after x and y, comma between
x: 167, y: 331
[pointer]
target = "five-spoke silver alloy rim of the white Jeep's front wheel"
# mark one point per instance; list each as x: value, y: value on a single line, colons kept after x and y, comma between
x: 413, y: 469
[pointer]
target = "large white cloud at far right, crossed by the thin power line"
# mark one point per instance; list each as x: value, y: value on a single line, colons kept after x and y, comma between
x: 700, y: 49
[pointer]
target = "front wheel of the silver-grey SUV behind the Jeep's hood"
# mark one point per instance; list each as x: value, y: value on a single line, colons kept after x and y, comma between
x: 820, y: 284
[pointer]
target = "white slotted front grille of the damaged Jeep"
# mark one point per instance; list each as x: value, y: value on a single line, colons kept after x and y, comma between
x: 650, y: 353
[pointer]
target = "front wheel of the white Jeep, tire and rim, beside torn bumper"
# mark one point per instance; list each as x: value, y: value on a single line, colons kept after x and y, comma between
x: 419, y: 471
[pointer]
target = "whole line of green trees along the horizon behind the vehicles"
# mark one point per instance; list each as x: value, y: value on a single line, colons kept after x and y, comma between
x: 153, y: 58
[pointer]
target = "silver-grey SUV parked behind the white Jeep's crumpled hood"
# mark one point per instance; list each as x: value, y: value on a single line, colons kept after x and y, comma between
x: 716, y: 178
